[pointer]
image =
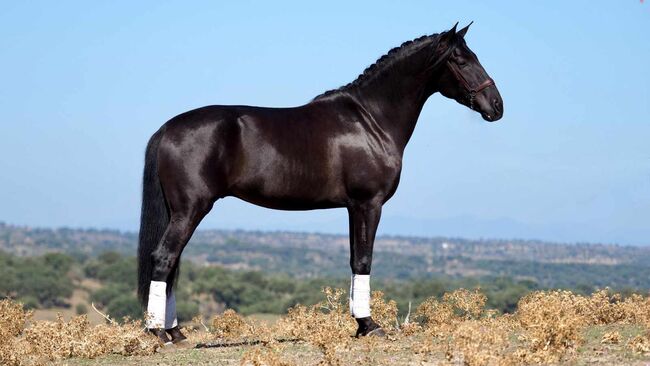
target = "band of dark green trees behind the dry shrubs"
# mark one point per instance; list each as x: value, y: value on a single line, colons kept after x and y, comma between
x: 48, y: 281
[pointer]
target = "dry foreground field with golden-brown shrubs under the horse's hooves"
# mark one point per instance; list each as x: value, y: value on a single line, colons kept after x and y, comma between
x: 549, y: 327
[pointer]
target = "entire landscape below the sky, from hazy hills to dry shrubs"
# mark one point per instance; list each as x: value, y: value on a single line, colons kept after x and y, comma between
x: 517, y: 317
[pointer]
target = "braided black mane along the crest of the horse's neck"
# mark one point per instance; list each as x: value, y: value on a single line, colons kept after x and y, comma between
x: 386, y: 61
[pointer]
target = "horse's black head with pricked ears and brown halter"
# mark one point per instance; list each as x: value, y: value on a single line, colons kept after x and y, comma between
x: 463, y: 79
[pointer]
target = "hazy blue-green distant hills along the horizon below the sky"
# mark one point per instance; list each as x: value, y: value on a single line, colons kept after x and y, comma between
x: 399, y: 257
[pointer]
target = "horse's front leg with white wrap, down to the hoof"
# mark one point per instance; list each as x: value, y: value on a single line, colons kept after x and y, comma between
x: 364, y: 218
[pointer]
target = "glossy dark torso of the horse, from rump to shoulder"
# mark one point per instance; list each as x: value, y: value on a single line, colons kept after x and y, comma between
x: 307, y: 157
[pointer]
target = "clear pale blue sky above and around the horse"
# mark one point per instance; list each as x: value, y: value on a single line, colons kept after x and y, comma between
x: 84, y: 84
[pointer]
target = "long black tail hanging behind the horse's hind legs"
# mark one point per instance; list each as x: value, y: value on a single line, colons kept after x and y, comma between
x: 154, y: 216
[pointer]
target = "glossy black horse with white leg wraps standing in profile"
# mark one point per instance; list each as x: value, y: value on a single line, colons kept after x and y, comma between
x: 343, y: 149
